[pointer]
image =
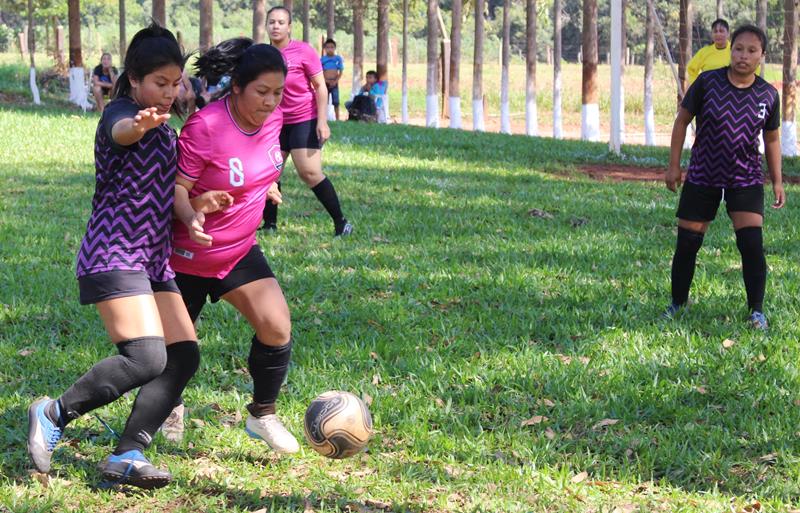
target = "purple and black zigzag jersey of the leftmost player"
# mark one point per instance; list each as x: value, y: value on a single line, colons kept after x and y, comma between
x: 130, y: 228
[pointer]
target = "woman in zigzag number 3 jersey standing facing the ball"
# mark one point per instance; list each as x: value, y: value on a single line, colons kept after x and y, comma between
x: 733, y: 107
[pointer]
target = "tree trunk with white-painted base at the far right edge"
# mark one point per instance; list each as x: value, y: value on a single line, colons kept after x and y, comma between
x: 788, y: 127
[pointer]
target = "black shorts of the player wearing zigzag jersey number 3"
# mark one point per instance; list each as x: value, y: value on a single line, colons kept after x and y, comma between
x: 700, y: 203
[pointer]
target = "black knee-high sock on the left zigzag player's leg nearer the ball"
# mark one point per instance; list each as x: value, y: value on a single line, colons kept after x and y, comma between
x: 157, y: 398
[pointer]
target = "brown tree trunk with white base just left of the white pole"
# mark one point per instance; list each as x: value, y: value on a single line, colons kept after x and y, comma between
x: 590, y: 111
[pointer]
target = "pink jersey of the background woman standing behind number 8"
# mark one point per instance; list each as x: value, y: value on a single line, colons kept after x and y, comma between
x: 299, y: 99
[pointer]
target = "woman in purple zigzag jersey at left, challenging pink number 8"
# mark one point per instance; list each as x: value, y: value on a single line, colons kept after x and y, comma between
x: 123, y: 268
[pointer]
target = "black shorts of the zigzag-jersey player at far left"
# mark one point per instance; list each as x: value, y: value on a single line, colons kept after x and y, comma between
x: 94, y: 288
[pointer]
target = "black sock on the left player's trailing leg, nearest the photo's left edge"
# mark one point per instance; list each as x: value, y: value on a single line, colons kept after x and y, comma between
x: 139, y: 360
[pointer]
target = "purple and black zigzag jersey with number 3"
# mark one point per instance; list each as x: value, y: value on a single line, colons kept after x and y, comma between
x: 729, y: 121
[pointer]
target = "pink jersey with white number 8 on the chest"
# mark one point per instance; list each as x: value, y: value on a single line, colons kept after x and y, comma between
x: 215, y: 154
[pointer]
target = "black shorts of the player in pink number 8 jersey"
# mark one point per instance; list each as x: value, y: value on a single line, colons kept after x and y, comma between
x: 195, y: 289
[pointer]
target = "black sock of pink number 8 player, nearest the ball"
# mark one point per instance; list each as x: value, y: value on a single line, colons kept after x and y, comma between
x: 268, y: 366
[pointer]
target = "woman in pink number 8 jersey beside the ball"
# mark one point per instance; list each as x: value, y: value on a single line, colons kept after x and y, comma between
x: 230, y: 150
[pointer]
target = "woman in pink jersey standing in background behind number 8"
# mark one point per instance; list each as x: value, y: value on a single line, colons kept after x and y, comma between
x: 305, y: 129
